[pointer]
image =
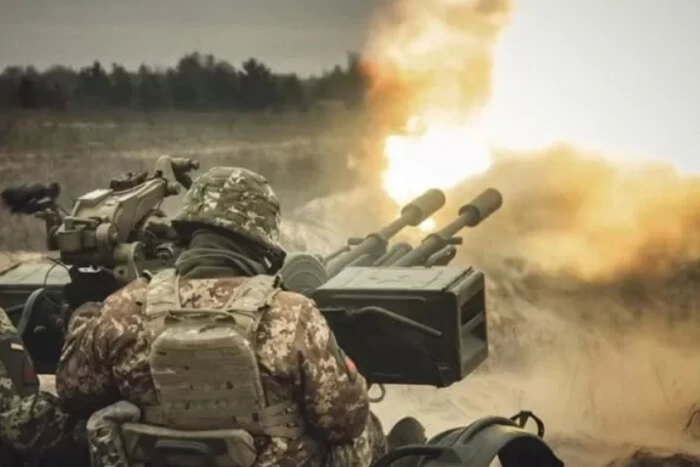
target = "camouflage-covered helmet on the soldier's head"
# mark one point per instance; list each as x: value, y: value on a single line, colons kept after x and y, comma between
x: 235, y: 199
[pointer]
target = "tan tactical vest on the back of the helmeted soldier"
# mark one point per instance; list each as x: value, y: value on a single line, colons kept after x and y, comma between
x: 204, y: 364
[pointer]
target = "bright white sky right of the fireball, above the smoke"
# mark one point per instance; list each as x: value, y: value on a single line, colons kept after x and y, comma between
x: 621, y: 75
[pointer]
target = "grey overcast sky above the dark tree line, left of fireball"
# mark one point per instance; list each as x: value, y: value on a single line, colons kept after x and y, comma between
x: 291, y: 35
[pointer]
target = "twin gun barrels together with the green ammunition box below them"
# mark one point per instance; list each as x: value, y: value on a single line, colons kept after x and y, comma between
x: 401, y: 313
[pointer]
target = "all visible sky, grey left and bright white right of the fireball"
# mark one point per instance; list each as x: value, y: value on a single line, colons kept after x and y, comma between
x: 618, y: 74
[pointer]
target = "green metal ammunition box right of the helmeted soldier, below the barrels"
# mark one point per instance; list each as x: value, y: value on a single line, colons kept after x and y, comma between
x: 408, y: 325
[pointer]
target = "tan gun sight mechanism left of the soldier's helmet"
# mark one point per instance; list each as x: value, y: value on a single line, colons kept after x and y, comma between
x: 118, y: 228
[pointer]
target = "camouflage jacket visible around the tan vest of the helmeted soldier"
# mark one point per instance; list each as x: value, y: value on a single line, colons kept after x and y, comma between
x: 105, y: 359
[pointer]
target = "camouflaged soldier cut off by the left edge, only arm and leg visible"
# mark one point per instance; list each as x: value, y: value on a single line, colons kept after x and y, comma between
x: 33, y: 429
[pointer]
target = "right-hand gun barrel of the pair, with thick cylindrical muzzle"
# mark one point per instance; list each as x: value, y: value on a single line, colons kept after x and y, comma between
x: 470, y: 215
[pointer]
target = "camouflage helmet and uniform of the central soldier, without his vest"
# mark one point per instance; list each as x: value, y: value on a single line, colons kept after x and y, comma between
x: 105, y: 357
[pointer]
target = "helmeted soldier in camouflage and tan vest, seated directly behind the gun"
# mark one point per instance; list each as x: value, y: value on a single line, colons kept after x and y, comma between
x: 215, y: 344
